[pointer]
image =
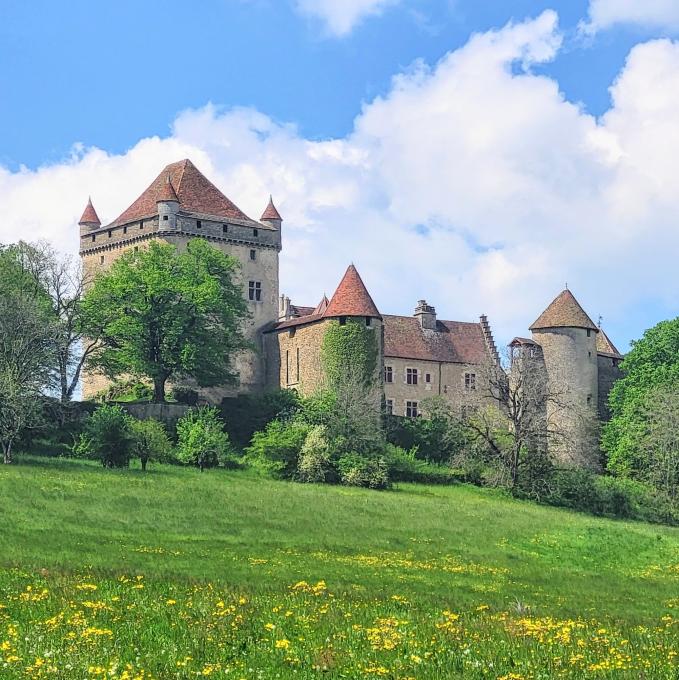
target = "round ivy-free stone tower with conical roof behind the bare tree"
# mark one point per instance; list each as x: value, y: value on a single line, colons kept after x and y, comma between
x: 568, y: 339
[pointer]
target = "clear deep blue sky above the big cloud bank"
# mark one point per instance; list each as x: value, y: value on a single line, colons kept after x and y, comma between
x: 109, y: 73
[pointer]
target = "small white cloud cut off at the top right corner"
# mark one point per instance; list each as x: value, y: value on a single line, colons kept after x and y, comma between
x: 649, y: 13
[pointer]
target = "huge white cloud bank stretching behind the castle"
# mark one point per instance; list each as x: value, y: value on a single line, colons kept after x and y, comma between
x: 473, y: 183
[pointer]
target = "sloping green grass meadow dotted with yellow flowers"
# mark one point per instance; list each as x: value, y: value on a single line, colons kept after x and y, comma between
x: 174, y: 574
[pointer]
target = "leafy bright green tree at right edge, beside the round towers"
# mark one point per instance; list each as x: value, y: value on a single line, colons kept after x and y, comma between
x: 652, y: 363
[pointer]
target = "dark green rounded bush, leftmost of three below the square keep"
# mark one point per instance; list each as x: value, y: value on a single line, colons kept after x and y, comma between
x: 107, y: 436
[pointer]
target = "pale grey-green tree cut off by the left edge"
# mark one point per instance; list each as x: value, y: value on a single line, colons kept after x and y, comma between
x: 26, y: 363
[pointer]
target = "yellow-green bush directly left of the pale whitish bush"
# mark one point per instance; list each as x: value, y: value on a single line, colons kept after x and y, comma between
x: 276, y: 449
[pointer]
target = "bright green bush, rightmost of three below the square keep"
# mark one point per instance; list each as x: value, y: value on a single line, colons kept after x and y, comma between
x: 201, y: 439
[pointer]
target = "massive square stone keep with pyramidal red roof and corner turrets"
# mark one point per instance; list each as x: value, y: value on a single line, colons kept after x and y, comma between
x: 181, y: 204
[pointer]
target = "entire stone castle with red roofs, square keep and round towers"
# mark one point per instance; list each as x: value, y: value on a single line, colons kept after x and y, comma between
x: 419, y: 356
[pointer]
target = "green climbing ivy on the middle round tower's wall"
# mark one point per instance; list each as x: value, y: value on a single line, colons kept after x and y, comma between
x: 351, y: 345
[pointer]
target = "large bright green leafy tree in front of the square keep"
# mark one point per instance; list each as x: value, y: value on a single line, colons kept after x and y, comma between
x: 168, y: 315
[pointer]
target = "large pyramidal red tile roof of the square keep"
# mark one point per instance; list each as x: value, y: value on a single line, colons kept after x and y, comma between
x: 195, y: 193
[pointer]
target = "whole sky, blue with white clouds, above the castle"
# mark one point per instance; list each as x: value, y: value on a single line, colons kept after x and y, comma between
x: 481, y: 155
